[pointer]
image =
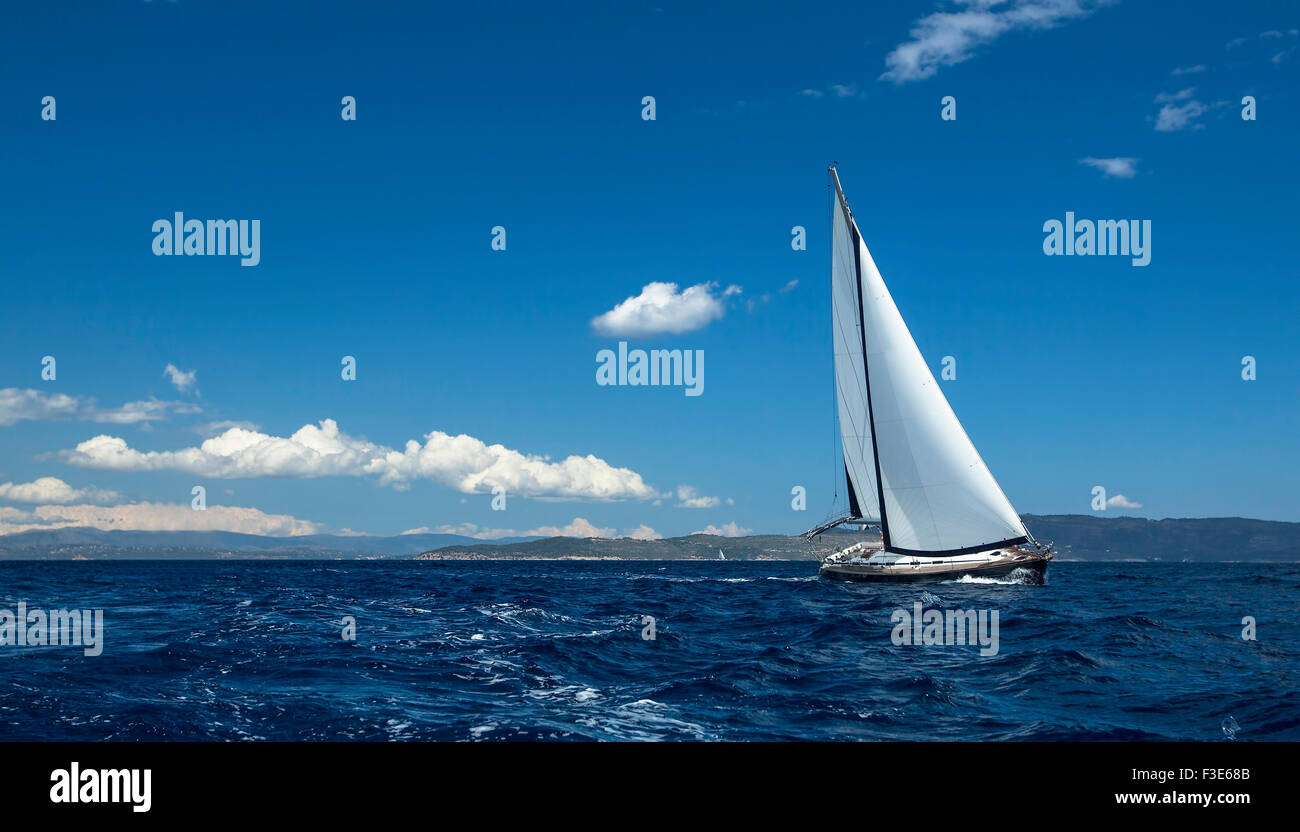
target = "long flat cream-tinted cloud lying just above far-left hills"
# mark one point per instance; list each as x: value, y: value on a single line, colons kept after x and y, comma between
x: 155, y: 518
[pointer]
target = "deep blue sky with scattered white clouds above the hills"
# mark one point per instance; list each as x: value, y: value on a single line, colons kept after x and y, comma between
x: 376, y: 242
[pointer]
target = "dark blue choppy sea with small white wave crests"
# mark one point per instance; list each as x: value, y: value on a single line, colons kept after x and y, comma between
x: 556, y: 651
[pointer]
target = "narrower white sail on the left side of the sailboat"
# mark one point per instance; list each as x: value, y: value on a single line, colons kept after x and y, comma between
x: 851, y: 380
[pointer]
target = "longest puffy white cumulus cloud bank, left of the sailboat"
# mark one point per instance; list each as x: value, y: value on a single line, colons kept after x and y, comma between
x: 458, y: 462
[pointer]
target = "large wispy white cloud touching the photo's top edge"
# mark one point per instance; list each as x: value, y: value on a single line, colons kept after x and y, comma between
x: 951, y: 37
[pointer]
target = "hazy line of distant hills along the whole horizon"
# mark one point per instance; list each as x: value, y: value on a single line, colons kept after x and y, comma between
x: 1077, y: 538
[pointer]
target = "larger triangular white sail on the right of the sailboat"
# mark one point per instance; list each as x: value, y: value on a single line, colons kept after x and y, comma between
x: 938, y: 496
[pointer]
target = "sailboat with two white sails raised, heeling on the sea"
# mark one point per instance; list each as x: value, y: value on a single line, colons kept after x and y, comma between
x: 909, y: 467
